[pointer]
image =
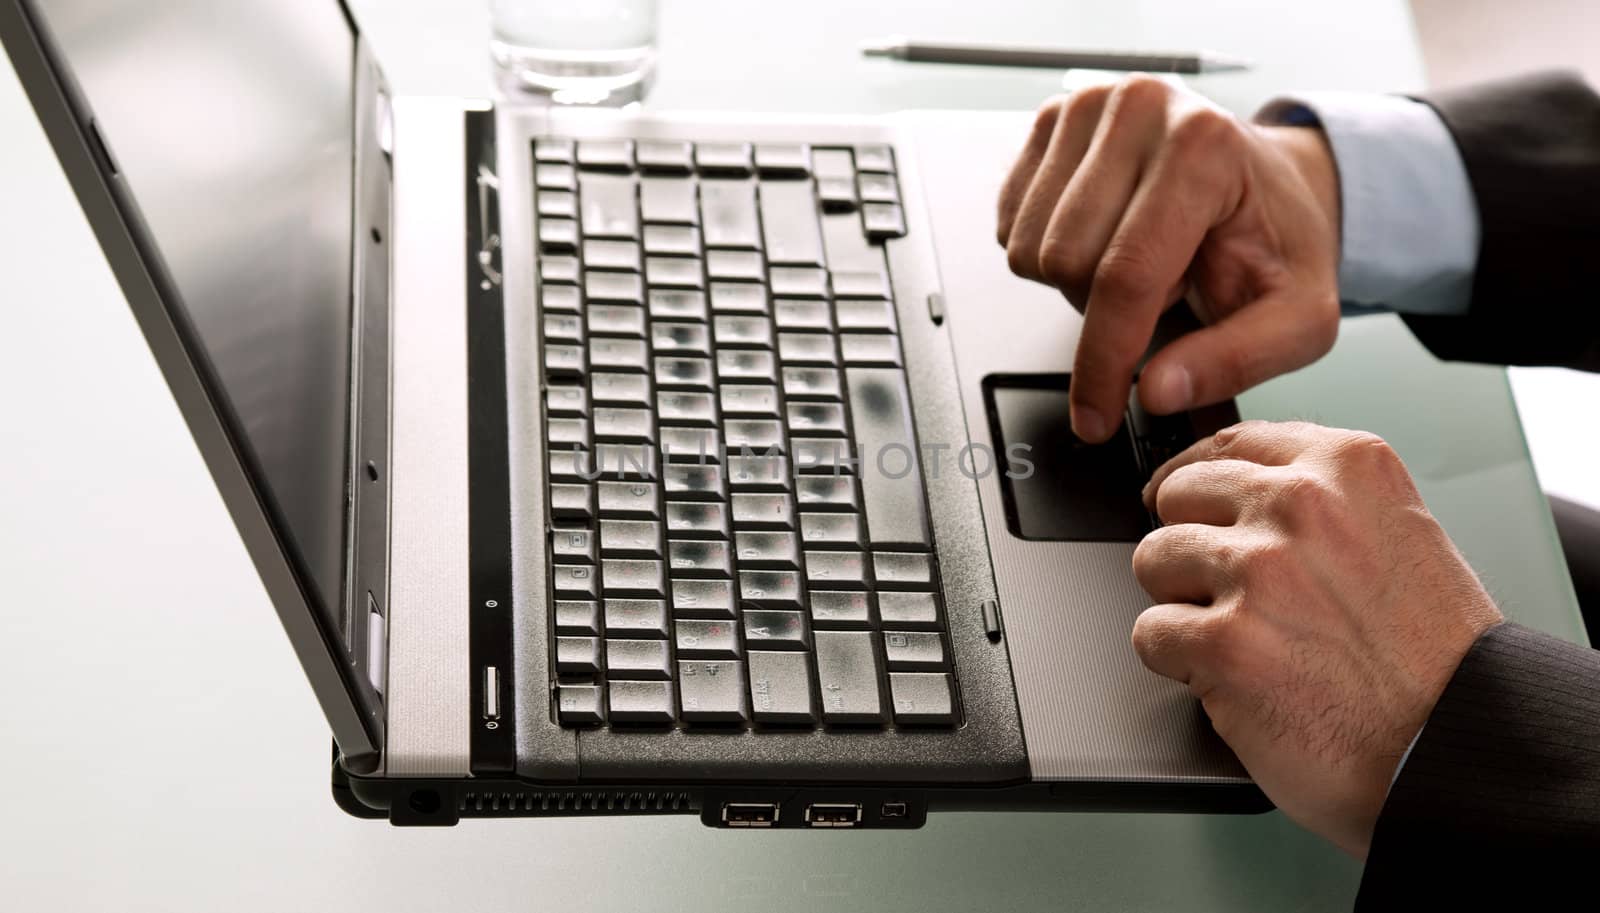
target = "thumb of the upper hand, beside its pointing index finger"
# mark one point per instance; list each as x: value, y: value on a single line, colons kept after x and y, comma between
x: 1263, y: 340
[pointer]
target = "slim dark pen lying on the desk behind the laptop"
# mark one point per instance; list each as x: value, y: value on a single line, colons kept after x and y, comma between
x: 1050, y: 58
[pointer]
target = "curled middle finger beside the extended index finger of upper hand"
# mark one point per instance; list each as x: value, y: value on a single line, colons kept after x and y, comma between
x: 1100, y: 193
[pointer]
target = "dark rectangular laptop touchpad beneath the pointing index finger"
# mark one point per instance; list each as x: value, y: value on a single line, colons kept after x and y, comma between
x: 1055, y: 485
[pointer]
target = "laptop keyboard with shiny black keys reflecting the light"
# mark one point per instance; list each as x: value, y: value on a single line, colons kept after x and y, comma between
x: 719, y: 346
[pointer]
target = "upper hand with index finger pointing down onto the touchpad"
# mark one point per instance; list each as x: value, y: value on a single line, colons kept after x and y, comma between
x: 1130, y: 197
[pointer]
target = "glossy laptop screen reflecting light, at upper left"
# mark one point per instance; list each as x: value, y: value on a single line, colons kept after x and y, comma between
x: 231, y: 122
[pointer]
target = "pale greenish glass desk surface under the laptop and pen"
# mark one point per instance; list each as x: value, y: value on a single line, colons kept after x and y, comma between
x: 134, y: 631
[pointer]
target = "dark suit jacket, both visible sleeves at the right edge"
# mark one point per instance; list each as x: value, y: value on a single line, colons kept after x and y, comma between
x: 1500, y: 797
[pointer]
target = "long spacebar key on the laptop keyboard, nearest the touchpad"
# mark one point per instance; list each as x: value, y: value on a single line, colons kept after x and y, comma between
x: 881, y: 413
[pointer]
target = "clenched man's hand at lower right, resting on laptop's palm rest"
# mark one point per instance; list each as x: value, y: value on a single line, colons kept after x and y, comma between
x: 1313, y: 605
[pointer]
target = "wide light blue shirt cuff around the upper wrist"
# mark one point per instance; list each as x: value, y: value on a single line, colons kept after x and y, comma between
x: 1410, y: 221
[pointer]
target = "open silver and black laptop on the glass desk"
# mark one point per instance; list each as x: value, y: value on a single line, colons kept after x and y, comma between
x: 615, y: 463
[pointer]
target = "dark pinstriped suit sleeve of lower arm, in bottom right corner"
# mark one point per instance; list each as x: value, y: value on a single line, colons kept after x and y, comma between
x: 1502, y: 792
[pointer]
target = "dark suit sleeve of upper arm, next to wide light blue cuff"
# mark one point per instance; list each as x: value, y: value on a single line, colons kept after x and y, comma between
x: 1532, y: 151
